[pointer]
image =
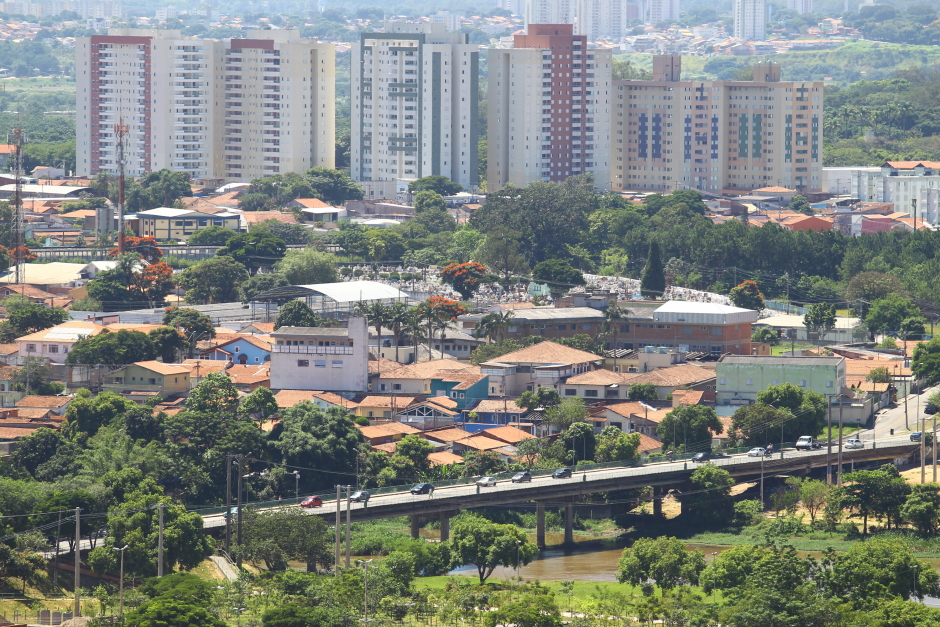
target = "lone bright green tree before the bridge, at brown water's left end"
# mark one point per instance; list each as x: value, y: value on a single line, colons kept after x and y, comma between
x: 486, y: 545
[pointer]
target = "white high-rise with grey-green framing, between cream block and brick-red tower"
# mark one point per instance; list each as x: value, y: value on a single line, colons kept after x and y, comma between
x: 415, y: 105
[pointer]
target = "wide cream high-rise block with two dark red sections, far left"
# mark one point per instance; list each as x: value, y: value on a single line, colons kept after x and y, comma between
x: 234, y: 110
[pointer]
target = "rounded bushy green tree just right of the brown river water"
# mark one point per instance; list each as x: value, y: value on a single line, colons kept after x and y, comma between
x: 664, y: 560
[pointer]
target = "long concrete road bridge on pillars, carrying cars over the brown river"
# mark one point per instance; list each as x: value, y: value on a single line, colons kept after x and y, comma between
x: 447, y: 501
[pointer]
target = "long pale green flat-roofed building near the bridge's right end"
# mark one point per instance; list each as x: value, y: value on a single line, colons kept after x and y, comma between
x: 742, y: 377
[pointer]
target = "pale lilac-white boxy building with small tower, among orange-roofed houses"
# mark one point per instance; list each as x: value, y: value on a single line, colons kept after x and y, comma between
x: 331, y: 359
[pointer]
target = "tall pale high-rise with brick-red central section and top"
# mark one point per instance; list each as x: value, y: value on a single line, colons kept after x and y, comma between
x: 549, y: 109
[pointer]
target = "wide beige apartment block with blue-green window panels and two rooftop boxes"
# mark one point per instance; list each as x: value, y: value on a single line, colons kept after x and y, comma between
x: 717, y: 136
